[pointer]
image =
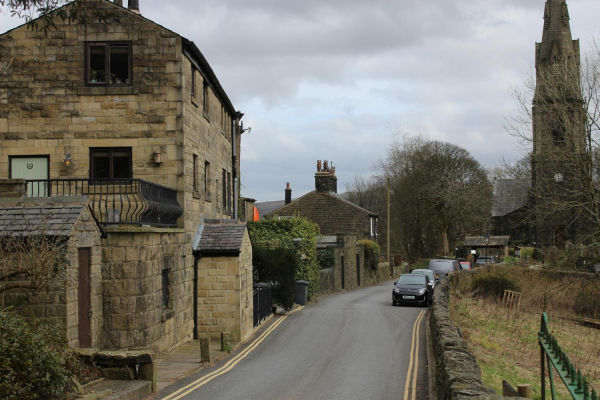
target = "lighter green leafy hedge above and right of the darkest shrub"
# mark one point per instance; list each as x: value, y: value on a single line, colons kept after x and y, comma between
x: 281, y: 233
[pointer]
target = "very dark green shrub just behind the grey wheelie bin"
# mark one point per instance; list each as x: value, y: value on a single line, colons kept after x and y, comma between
x: 277, y: 266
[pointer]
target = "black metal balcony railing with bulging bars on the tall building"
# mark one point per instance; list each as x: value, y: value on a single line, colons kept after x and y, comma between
x: 116, y: 201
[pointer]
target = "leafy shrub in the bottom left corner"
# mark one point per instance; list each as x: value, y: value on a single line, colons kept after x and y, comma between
x: 35, y: 362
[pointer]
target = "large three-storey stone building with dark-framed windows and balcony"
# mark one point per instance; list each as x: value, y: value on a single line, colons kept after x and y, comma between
x: 131, y: 116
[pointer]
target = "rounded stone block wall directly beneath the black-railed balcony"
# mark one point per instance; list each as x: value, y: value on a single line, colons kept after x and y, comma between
x: 132, y: 276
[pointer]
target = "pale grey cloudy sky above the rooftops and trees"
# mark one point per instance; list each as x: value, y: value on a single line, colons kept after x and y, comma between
x: 340, y: 80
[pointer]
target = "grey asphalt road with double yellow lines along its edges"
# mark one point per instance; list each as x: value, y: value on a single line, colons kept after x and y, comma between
x: 351, y: 345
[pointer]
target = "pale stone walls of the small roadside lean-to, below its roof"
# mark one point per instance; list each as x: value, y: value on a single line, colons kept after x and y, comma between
x: 225, y: 294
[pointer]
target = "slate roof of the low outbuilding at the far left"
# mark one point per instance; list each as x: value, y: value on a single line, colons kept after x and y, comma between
x: 24, y: 218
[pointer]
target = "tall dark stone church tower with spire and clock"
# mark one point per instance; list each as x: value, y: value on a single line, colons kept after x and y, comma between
x: 558, y: 129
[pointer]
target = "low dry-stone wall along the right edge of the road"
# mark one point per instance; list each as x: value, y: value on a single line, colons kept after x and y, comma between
x: 457, y: 374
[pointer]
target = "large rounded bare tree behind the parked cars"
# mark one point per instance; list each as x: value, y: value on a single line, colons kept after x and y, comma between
x: 441, y: 194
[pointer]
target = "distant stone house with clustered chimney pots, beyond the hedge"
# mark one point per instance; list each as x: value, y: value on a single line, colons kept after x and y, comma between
x: 331, y: 212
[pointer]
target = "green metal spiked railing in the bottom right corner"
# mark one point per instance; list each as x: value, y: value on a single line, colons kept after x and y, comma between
x: 551, y: 352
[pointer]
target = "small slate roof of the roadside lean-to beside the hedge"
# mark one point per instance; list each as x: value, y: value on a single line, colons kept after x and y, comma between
x: 220, y: 236
